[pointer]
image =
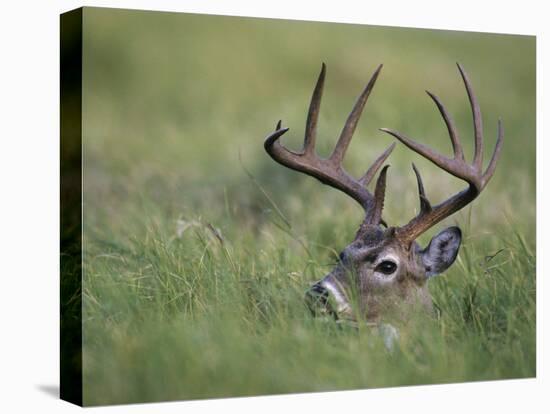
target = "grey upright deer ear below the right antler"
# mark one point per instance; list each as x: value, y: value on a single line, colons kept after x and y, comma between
x: 442, y: 251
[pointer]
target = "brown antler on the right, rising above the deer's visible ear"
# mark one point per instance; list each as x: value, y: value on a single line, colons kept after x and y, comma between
x: 457, y: 166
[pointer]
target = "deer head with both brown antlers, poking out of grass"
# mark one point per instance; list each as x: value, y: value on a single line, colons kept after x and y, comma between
x: 384, y: 271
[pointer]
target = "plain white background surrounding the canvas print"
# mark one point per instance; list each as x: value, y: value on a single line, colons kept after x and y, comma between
x: 29, y: 157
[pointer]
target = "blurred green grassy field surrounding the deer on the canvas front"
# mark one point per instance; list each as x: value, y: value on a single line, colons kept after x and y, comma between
x: 198, y: 247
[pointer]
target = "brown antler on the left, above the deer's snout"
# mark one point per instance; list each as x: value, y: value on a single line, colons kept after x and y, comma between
x: 330, y: 171
